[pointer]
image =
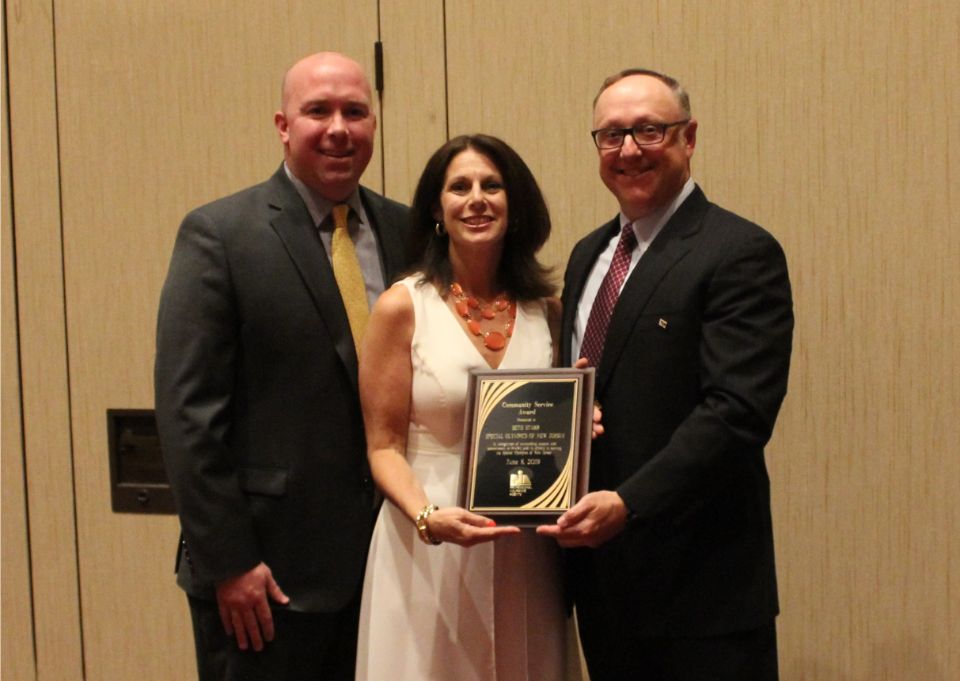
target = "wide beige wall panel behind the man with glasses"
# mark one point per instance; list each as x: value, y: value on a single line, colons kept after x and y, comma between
x: 834, y: 126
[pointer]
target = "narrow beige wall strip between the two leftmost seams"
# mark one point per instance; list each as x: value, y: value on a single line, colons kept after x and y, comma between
x: 42, y: 342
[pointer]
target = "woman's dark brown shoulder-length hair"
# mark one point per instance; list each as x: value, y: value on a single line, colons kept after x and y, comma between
x: 520, y: 274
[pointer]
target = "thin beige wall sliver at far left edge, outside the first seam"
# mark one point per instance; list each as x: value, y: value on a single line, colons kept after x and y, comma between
x: 17, y: 654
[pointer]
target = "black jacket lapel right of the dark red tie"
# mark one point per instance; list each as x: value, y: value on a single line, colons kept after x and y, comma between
x: 670, y: 246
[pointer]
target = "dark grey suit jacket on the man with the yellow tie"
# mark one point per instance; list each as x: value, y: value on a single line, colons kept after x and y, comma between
x: 256, y: 396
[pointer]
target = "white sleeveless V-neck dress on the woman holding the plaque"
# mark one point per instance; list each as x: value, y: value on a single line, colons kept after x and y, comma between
x: 491, y: 612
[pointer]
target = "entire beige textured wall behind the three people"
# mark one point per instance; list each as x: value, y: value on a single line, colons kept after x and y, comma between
x: 834, y: 125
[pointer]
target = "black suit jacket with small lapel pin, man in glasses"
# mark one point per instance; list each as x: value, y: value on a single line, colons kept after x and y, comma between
x: 693, y: 372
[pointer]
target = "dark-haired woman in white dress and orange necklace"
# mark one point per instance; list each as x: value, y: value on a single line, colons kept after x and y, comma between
x: 449, y: 595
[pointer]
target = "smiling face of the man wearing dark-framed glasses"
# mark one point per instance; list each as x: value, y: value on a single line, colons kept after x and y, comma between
x: 645, y: 178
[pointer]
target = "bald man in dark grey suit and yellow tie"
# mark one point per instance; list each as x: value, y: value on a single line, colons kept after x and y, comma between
x: 256, y: 393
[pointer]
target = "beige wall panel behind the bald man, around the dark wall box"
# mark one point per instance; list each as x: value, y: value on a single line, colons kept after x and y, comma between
x: 163, y: 106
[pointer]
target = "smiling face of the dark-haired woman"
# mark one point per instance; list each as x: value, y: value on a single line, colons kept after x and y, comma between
x: 473, y: 201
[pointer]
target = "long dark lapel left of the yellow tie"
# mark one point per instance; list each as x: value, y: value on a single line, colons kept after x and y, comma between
x: 293, y: 224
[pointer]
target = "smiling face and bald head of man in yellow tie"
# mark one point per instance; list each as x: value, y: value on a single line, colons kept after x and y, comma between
x: 326, y: 123
